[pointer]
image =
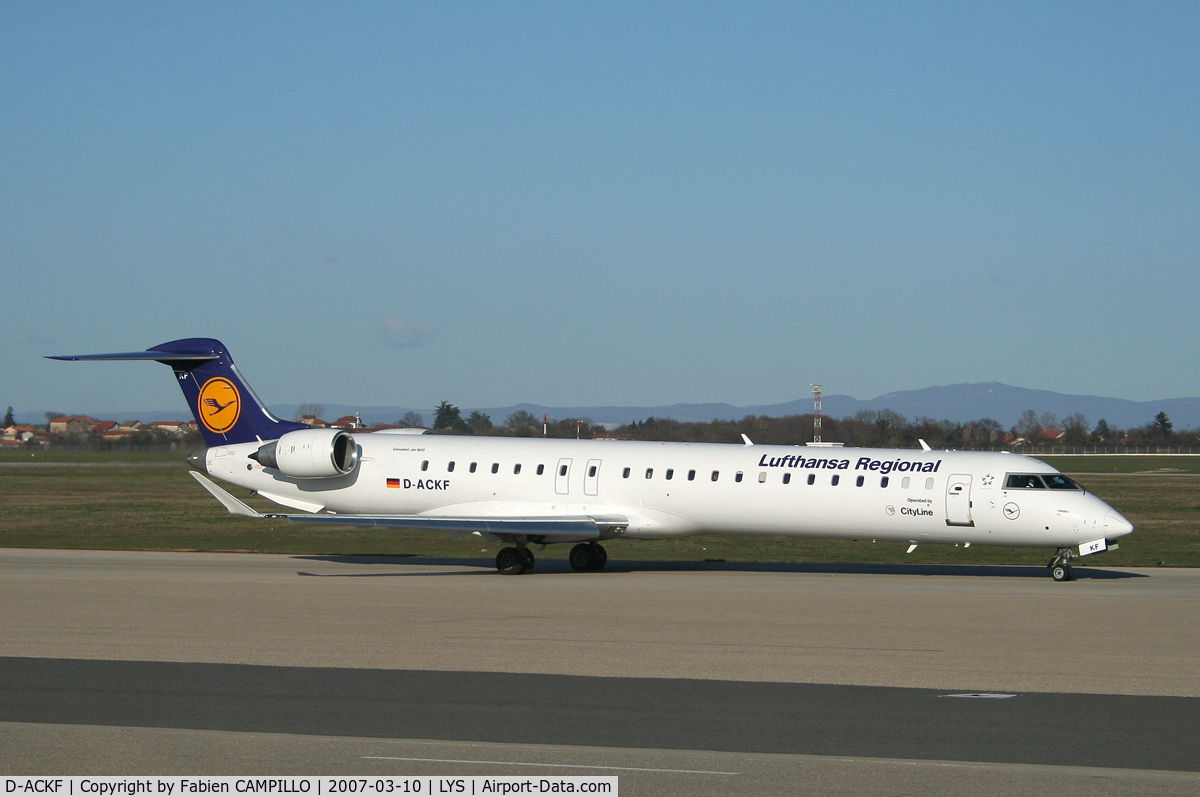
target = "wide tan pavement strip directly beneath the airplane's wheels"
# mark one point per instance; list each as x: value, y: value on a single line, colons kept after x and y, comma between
x: 1005, y: 630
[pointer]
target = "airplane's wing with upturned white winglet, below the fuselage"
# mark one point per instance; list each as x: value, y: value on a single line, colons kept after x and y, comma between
x: 563, y: 529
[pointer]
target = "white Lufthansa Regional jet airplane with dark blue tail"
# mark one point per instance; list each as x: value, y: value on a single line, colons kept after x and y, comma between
x: 538, y: 492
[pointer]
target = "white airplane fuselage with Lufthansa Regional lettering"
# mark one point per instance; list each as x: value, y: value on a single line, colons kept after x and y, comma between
x: 670, y: 490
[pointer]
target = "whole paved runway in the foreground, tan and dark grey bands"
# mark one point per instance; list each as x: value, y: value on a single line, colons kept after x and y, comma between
x: 830, y: 679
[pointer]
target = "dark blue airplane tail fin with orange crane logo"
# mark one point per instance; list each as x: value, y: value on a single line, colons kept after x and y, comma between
x: 225, y: 408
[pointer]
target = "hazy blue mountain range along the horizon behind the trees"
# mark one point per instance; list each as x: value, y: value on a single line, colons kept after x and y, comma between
x: 958, y: 403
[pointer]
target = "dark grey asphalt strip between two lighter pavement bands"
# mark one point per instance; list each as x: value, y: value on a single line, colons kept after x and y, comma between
x: 815, y: 720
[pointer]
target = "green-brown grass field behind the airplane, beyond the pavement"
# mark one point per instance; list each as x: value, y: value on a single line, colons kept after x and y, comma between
x: 147, y: 501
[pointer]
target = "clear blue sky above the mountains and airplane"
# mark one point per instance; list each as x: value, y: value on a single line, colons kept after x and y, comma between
x: 601, y: 205
